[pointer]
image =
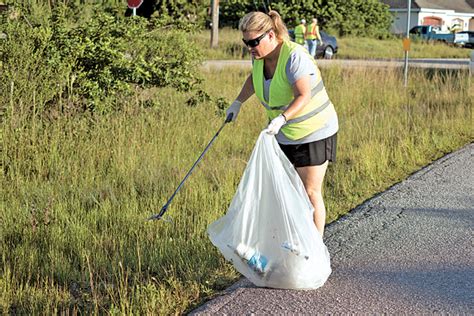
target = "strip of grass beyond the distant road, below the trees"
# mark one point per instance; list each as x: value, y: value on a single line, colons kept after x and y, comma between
x: 231, y: 47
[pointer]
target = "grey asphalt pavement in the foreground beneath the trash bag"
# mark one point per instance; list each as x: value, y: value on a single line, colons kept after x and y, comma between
x: 408, y: 250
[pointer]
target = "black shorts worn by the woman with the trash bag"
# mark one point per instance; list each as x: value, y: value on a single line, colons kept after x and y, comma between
x: 312, y: 154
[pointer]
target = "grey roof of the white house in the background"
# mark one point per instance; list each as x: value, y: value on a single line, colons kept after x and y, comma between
x: 461, y: 6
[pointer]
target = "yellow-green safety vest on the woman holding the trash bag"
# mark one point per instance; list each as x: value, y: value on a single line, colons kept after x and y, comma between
x: 314, y: 116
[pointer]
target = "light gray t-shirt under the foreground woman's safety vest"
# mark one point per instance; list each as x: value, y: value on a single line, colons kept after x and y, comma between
x: 300, y: 64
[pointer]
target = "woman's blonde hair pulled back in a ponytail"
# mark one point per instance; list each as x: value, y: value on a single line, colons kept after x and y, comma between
x: 261, y: 22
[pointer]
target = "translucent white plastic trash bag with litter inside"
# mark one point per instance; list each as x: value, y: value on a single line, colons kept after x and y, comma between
x: 268, y: 231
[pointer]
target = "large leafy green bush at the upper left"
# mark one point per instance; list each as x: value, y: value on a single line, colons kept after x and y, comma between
x: 81, y: 64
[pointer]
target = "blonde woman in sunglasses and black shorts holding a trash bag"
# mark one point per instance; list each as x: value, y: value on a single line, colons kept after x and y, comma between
x: 288, y: 83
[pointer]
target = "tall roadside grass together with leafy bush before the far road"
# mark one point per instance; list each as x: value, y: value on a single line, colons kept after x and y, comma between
x: 93, y: 145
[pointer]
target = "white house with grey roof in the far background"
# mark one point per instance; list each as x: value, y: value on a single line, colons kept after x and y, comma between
x: 448, y: 15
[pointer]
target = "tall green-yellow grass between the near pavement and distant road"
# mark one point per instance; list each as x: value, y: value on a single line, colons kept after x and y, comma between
x: 76, y: 190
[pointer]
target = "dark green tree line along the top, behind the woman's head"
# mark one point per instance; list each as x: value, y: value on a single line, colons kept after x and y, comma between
x: 343, y: 17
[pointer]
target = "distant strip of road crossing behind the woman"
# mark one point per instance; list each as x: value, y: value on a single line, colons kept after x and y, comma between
x: 346, y: 63
